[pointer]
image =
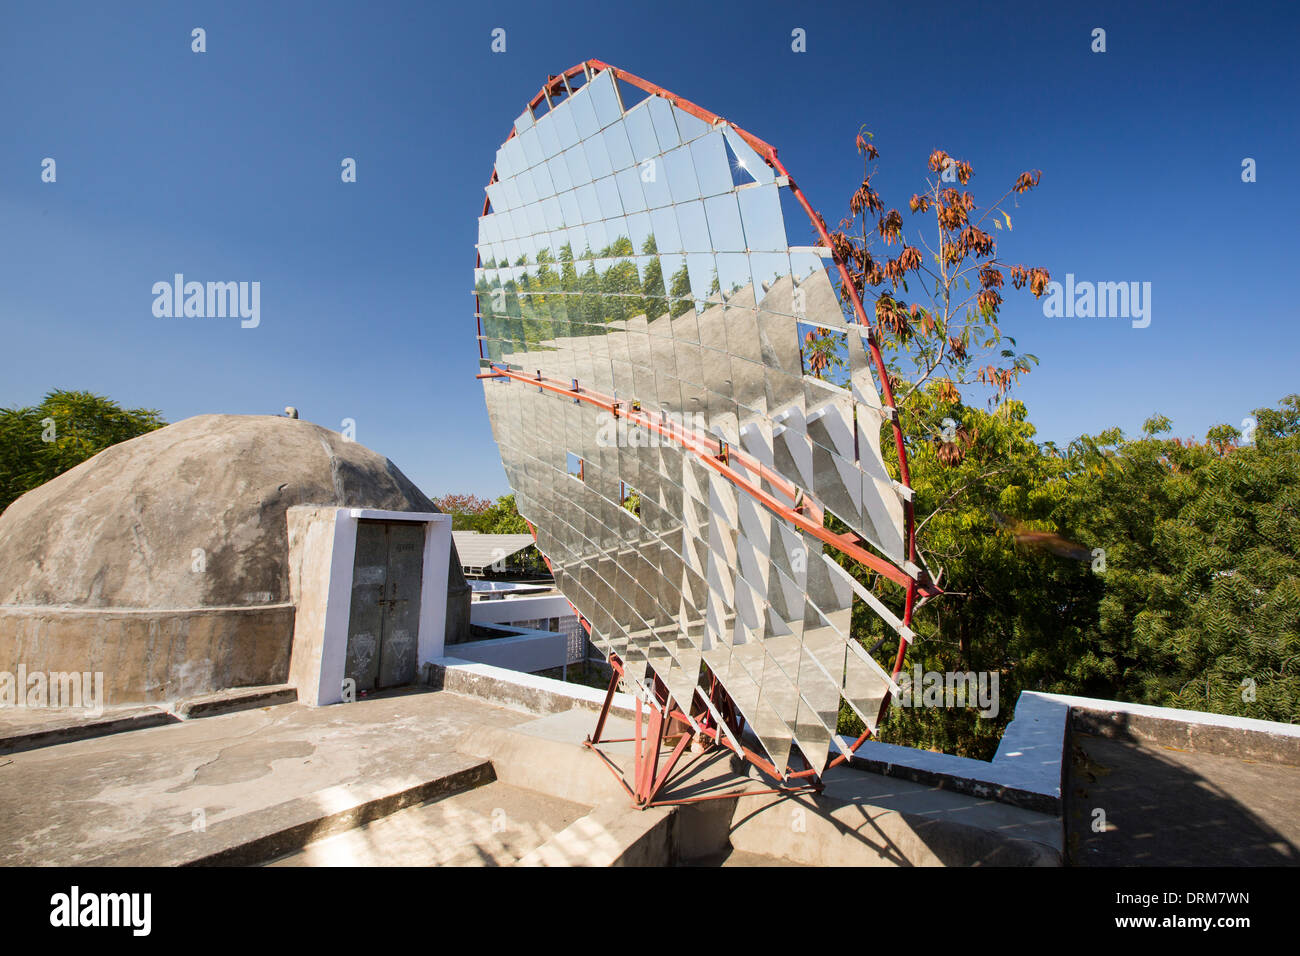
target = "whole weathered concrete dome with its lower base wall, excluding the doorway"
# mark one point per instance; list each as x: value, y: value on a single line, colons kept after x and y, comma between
x: 163, y: 564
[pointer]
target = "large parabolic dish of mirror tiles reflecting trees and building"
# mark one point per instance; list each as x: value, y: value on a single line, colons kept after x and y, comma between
x: 642, y: 325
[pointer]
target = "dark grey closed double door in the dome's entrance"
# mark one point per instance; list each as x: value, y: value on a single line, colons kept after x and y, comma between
x: 384, y: 622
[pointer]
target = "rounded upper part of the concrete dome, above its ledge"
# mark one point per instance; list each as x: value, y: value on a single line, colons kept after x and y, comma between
x: 123, y: 530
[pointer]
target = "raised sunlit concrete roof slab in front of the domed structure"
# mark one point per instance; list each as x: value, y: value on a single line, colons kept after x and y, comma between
x: 175, y: 793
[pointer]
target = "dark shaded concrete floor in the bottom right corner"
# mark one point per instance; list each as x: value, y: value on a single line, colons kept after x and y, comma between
x: 1176, y: 808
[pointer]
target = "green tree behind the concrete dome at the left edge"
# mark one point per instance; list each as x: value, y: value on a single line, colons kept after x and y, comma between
x: 44, y: 442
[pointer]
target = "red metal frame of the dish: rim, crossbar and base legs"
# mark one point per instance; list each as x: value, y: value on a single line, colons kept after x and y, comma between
x: 648, y: 778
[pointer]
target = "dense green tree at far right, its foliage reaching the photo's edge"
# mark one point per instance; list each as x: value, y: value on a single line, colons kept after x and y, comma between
x: 1202, y: 546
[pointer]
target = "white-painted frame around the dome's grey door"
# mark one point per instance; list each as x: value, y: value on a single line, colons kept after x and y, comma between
x: 434, y: 595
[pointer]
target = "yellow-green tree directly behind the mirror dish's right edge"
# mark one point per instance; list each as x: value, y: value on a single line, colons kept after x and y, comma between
x: 985, y: 496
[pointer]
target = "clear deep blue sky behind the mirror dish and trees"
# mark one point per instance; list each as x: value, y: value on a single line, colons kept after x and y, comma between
x: 226, y: 166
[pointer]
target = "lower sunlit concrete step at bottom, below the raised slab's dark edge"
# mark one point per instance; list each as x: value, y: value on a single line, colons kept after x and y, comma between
x: 493, y: 825
